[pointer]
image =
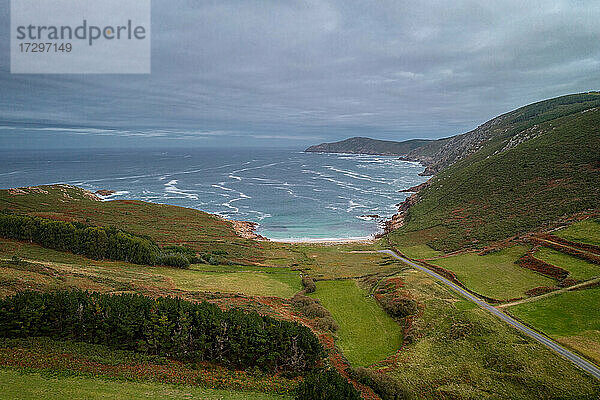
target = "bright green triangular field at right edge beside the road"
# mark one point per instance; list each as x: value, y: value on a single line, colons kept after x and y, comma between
x: 572, y: 318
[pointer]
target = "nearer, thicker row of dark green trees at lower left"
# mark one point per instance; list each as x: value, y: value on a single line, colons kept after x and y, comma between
x: 169, y: 327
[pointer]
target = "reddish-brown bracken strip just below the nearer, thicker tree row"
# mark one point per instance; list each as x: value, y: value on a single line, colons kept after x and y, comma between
x: 68, y: 359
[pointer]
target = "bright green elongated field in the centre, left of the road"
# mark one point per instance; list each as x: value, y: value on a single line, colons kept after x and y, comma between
x: 367, y: 334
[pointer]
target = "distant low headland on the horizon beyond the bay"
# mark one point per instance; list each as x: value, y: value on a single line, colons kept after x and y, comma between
x: 363, y: 145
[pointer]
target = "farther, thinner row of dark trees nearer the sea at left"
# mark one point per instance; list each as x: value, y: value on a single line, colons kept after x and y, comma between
x: 95, y: 242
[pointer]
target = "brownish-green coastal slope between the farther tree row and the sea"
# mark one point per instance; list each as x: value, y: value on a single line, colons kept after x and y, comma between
x: 164, y: 223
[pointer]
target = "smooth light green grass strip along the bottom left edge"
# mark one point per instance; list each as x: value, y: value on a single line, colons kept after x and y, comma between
x: 33, y: 385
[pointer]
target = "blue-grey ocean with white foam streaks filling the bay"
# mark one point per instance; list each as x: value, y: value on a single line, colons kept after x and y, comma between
x: 292, y: 195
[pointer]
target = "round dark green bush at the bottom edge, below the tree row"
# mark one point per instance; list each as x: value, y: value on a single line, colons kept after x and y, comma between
x: 326, y: 385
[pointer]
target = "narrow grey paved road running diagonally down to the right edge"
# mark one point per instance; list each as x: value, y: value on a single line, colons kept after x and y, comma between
x: 574, y: 358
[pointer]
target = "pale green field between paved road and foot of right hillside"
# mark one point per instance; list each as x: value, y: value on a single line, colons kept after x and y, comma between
x: 495, y: 275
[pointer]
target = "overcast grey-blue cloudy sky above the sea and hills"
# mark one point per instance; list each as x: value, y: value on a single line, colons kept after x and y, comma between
x: 276, y: 72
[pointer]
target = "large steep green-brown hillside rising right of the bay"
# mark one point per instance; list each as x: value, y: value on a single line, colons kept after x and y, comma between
x: 489, y: 197
